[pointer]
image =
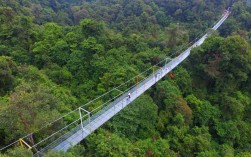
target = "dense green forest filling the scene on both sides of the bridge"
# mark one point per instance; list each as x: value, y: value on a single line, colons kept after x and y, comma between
x: 56, y: 55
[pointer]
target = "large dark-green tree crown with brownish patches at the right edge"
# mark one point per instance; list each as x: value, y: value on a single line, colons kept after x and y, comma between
x: 226, y: 66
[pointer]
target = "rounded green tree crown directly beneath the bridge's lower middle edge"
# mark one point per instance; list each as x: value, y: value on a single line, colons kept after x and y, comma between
x: 137, y: 120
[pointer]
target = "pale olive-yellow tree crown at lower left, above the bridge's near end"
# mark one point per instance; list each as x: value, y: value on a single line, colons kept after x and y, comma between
x: 29, y: 109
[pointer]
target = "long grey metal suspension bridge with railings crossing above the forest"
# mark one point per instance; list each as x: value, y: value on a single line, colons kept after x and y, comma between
x: 88, y: 121
